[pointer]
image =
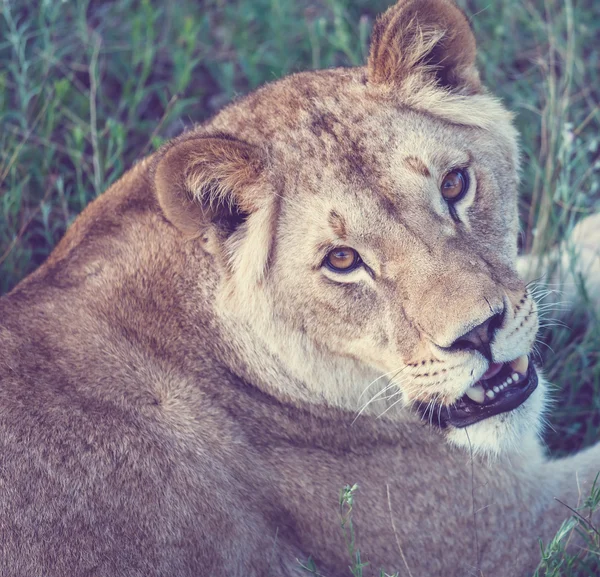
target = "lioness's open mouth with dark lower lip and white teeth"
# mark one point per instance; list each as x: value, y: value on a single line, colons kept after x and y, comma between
x: 502, y: 388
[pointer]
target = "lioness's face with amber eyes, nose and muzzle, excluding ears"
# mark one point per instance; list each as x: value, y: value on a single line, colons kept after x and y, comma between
x: 378, y: 263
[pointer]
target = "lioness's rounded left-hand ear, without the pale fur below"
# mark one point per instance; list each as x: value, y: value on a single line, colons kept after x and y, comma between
x: 206, y: 181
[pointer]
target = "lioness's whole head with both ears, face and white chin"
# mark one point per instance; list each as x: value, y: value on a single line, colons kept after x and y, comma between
x: 365, y: 224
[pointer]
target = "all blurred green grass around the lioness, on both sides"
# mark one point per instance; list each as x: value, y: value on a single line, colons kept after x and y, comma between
x: 88, y: 87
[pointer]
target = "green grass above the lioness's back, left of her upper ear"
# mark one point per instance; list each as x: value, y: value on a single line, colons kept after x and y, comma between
x: 87, y: 88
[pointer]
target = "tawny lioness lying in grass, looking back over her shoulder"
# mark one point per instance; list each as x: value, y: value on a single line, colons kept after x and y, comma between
x: 317, y: 287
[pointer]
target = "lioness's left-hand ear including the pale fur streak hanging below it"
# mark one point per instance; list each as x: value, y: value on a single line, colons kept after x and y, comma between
x: 214, y: 187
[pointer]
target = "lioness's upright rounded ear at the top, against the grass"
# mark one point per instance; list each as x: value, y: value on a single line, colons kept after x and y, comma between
x: 427, y: 39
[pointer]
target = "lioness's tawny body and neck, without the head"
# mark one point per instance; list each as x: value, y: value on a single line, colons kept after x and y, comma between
x: 122, y: 457
